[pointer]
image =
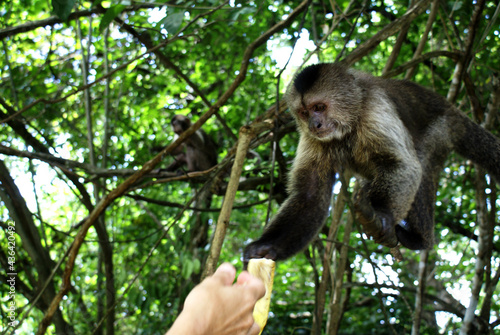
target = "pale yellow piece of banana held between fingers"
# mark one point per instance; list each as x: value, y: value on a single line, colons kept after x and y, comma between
x: 263, y: 269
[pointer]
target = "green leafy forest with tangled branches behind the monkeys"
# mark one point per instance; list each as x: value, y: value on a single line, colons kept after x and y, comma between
x: 100, y: 236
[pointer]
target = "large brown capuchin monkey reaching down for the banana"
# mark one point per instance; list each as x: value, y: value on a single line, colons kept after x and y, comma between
x: 394, y: 134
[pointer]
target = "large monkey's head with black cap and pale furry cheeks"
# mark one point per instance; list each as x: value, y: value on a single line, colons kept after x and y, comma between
x: 326, y: 101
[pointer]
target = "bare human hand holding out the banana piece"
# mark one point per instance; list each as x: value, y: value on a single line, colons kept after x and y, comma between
x: 217, y: 306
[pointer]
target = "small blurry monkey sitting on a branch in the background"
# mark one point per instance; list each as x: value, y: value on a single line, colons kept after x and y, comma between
x: 200, y: 152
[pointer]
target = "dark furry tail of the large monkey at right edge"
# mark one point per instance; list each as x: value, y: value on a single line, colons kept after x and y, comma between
x: 478, y: 145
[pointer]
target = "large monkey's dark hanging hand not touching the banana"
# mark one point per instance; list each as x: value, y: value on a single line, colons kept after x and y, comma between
x: 377, y: 224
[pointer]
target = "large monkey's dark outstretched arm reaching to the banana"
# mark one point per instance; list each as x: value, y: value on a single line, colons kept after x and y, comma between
x: 300, y: 217
